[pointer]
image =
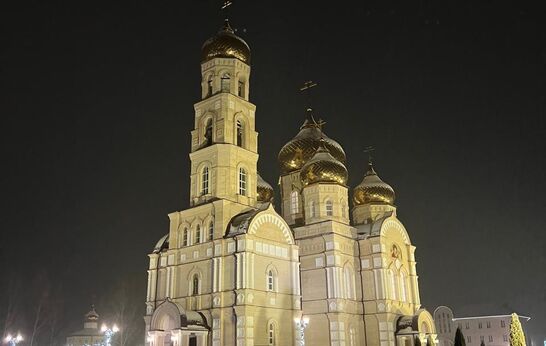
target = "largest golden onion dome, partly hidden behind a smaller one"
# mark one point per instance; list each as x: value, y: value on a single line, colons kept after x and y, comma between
x: 301, y: 148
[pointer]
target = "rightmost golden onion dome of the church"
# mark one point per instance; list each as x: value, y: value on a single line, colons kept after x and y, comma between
x: 373, y: 190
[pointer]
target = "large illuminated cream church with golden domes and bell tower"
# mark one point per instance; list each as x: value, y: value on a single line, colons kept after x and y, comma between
x: 233, y: 271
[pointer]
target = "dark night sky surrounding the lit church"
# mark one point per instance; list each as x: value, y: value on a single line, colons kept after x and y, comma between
x: 97, y: 106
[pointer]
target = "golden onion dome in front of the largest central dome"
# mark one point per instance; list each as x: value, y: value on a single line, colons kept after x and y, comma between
x: 323, y: 168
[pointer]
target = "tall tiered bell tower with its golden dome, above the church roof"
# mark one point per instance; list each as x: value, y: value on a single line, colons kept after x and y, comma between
x: 224, y: 150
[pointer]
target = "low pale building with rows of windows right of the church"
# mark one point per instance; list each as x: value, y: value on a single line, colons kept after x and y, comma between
x: 492, y: 330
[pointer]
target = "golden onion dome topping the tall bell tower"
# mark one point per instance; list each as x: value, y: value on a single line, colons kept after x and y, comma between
x: 225, y: 44
